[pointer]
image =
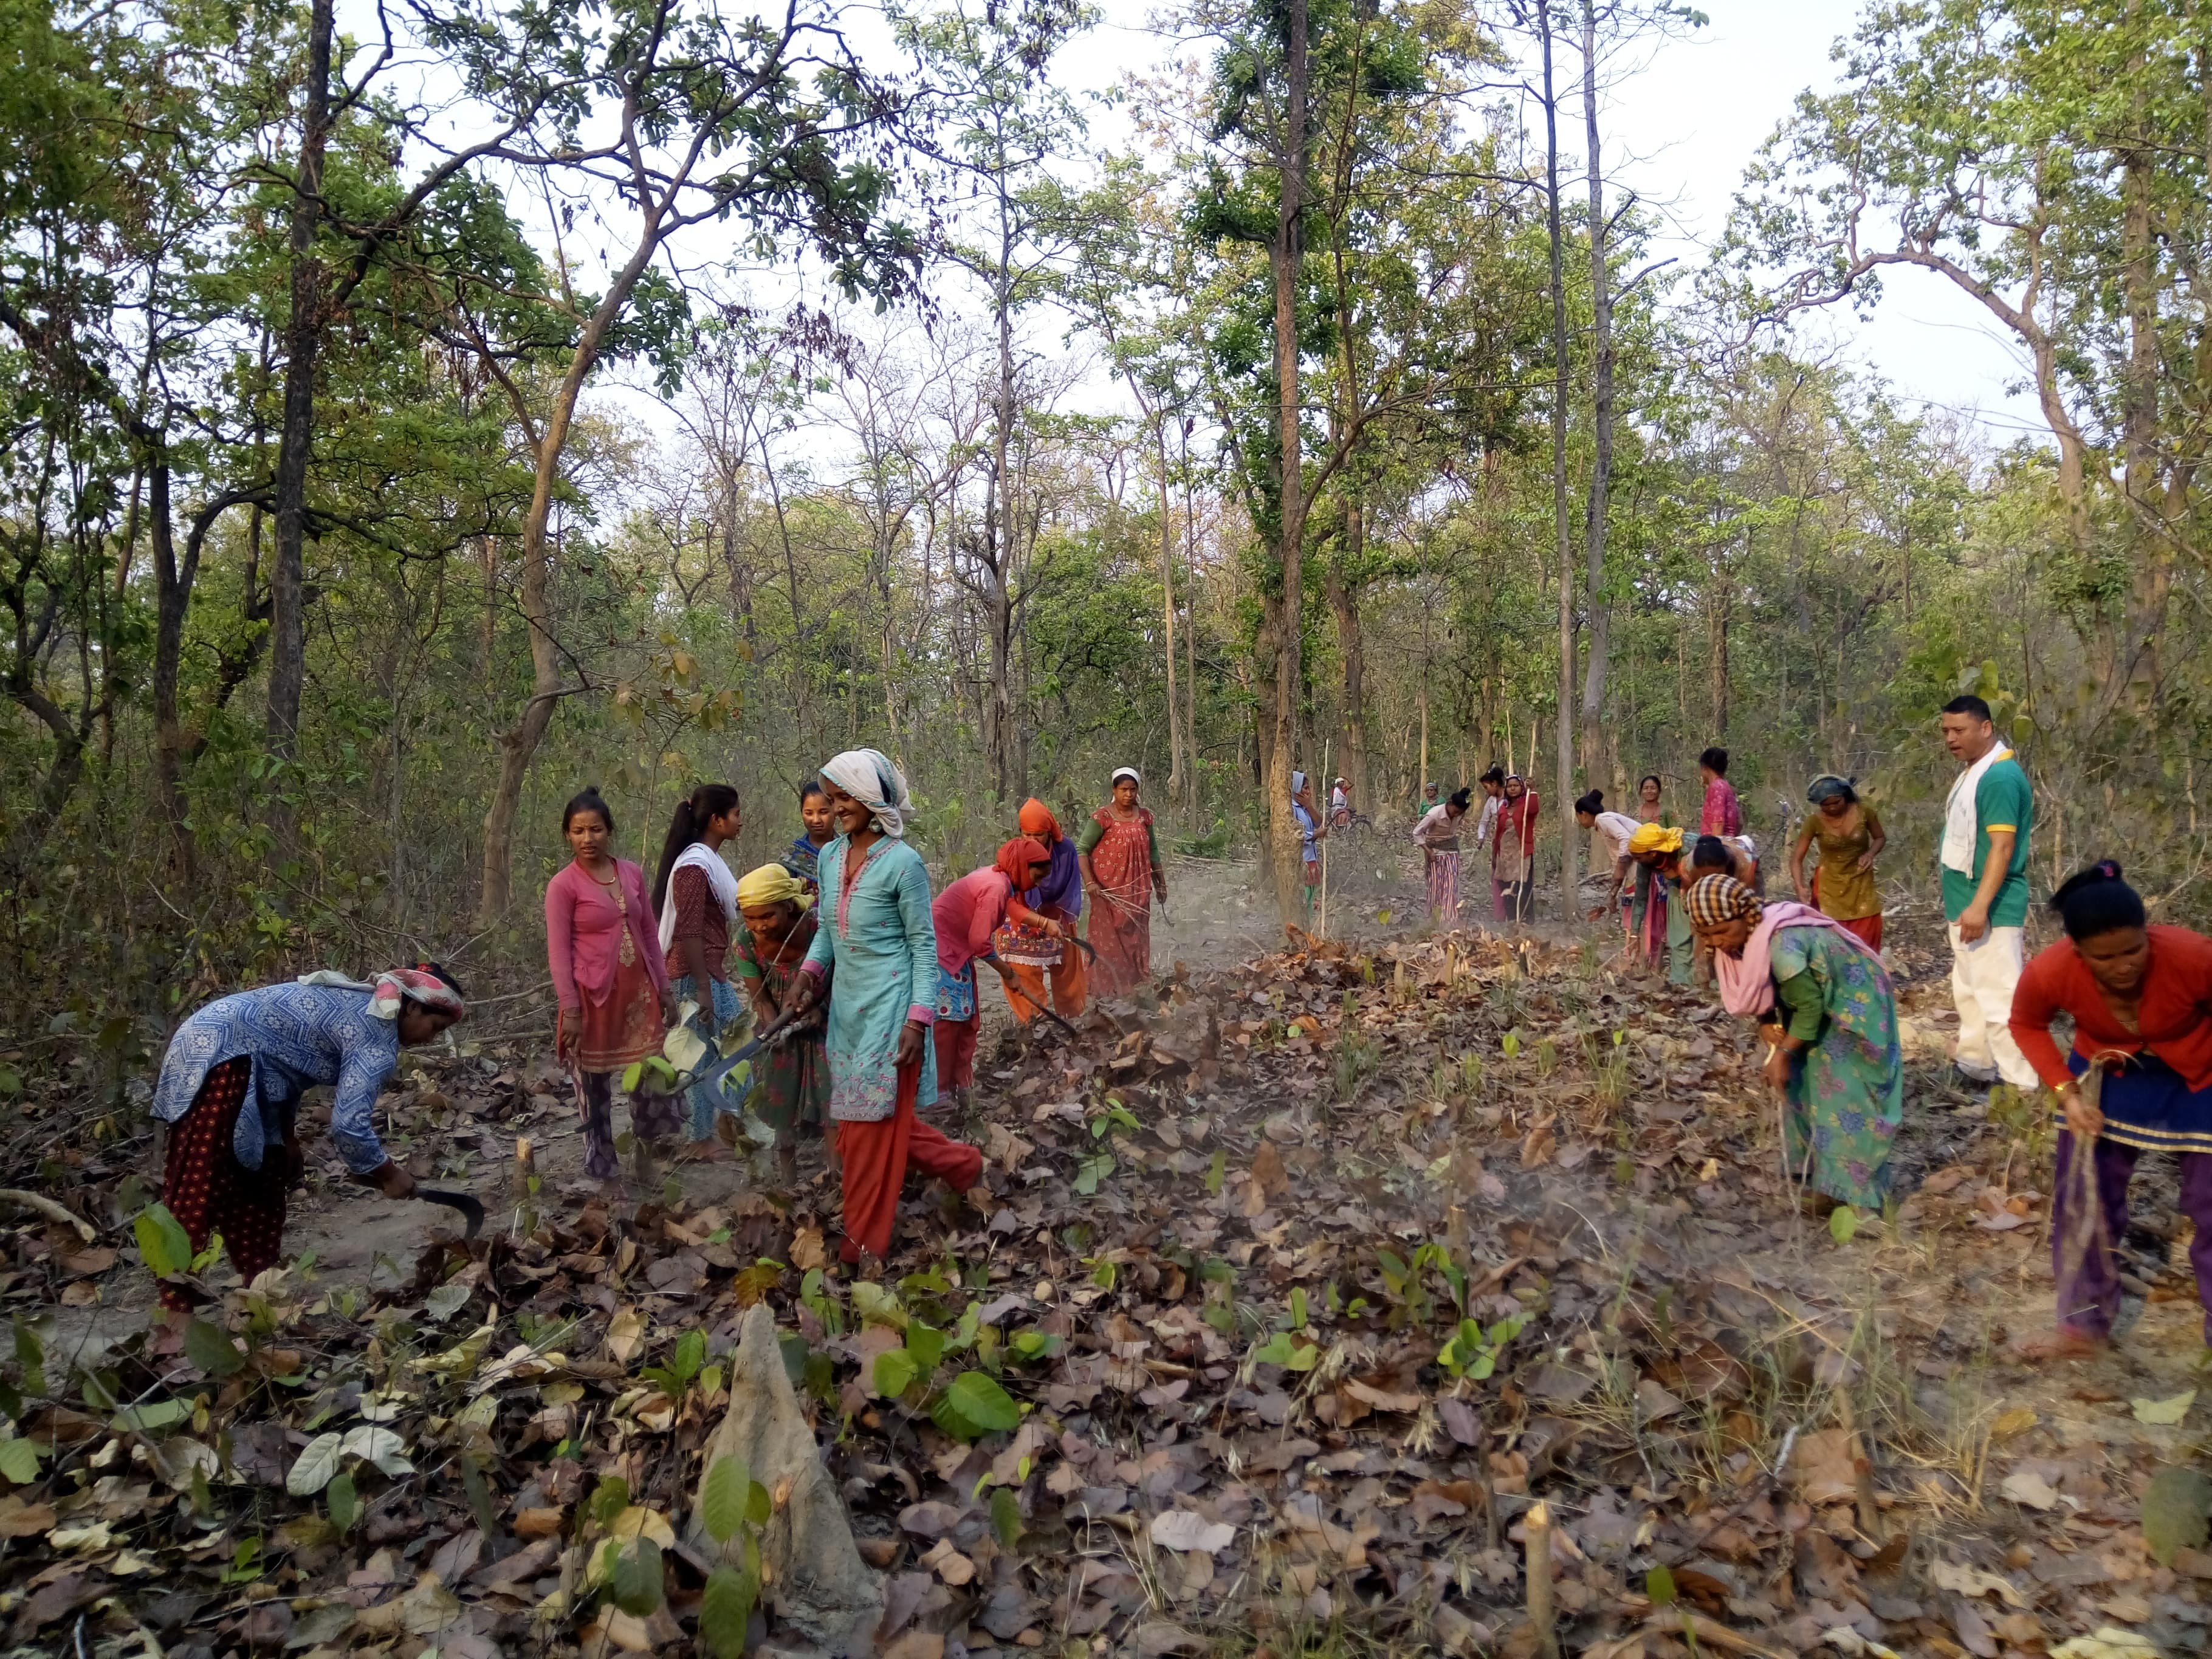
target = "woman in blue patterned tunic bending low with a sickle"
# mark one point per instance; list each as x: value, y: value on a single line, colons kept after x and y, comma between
x: 231, y: 1087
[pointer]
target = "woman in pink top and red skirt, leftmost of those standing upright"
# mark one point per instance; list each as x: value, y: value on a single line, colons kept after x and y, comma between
x: 605, y: 952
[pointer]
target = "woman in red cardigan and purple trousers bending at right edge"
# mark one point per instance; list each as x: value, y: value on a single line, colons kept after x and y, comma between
x: 2142, y: 1010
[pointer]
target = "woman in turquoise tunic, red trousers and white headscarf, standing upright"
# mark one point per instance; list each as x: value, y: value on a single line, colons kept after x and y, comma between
x: 877, y: 959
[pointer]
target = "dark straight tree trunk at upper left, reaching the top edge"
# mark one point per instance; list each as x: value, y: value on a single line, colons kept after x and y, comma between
x: 304, y: 337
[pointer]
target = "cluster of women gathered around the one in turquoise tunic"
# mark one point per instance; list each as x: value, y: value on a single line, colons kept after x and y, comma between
x: 873, y: 994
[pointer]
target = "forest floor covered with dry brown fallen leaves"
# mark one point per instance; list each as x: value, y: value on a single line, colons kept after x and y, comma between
x: 1306, y: 1277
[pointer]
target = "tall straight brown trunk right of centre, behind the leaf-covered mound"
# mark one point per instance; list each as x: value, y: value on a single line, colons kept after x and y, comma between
x: 1284, y: 260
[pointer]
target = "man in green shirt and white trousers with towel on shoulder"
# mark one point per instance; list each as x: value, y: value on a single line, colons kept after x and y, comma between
x: 1985, y: 893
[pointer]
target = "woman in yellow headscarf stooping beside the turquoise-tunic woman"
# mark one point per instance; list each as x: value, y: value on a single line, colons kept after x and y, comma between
x: 791, y: 1078
